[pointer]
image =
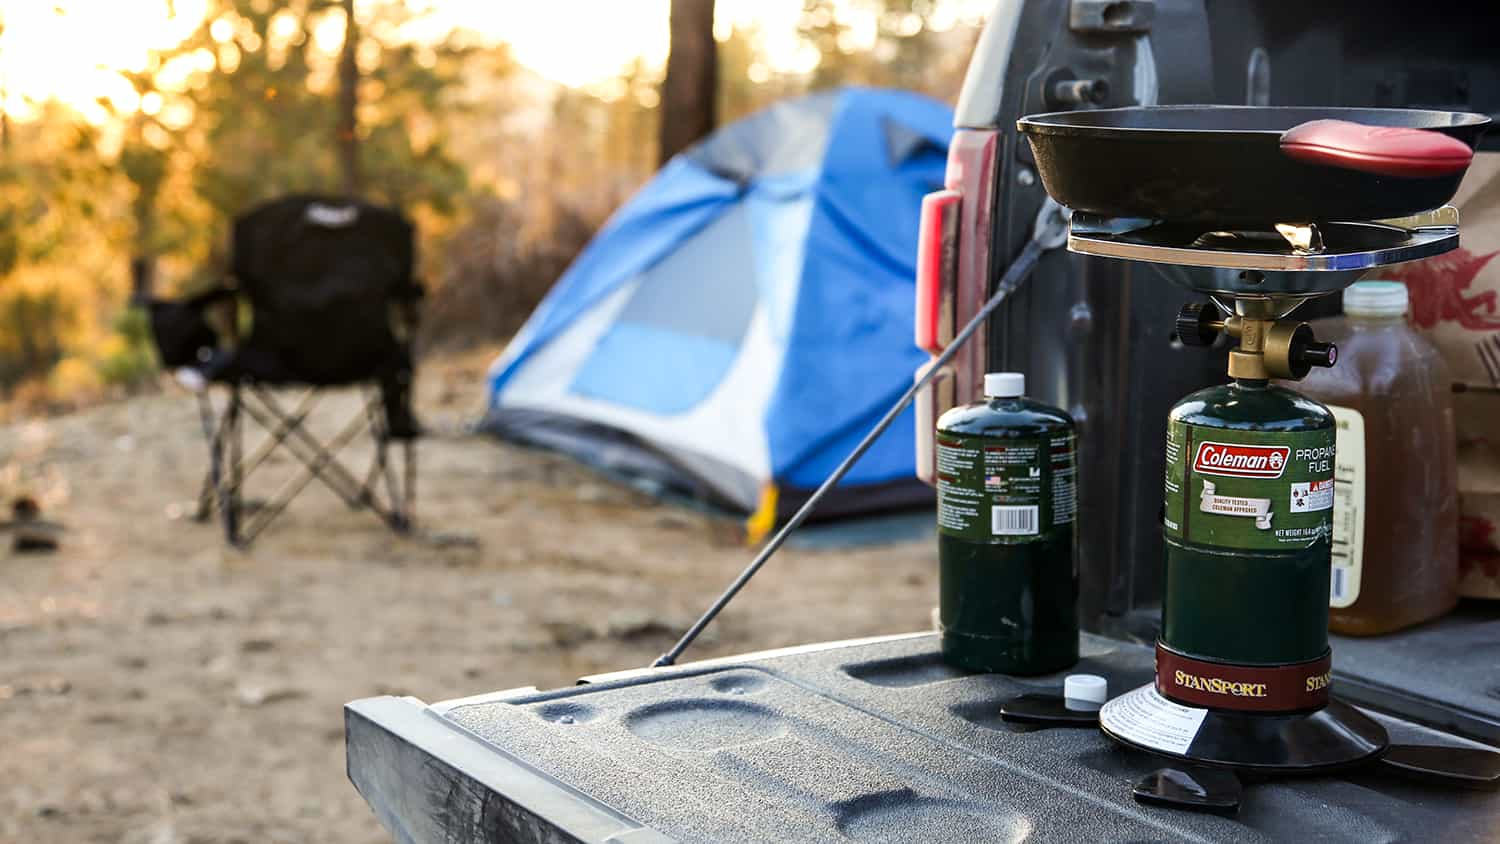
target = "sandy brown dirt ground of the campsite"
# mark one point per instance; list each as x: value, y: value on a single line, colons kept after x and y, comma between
x: 160, y: 689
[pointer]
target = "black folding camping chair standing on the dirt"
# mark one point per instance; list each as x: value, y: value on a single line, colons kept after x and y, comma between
x: 334, y: 302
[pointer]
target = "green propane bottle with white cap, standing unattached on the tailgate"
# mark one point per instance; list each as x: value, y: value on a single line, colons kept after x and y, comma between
x: 1007, y: 503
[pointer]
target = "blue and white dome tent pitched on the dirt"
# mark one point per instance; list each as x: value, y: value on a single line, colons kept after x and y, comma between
x: 746, y: 319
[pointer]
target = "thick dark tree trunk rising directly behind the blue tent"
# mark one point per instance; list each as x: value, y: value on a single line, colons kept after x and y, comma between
x: 689, y: 94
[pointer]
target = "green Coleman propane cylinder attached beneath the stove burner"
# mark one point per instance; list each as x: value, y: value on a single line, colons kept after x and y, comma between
x: 1249, y: 534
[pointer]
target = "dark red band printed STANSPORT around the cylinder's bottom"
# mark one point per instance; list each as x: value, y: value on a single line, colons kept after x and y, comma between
x: 1246, y: 689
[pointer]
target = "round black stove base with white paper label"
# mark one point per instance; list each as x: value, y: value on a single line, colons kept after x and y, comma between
x: 1306, y: 743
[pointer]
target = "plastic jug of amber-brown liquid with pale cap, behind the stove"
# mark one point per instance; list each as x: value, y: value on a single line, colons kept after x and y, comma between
x: 1396, y: 513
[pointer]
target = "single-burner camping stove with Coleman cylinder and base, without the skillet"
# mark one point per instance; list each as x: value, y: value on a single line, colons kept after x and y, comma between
x: 1243, y: 660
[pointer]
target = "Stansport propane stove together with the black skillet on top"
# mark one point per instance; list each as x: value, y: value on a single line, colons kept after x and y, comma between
x: 1246, y: 205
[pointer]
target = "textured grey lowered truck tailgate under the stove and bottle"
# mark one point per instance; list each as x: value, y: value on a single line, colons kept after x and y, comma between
x: 869, y: 741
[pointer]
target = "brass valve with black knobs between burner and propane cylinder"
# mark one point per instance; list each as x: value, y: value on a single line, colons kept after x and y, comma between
x: 1268, y: 347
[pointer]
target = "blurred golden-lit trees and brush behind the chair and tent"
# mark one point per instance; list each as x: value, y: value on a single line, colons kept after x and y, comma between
x: 506, y: 172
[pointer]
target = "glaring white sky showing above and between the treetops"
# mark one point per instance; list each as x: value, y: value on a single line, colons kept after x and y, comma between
x: 73, y: 50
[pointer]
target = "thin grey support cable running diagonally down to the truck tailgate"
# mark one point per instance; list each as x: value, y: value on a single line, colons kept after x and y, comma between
x: 1018, y: 272
